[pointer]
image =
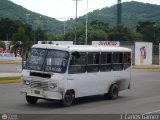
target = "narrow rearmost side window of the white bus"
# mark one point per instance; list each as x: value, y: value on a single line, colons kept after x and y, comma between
x: 127, y: 60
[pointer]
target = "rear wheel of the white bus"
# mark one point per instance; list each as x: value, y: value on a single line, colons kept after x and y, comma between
x: 113, y: 92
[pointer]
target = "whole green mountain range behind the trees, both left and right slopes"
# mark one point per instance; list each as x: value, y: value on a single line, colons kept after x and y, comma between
x: 132, y: 13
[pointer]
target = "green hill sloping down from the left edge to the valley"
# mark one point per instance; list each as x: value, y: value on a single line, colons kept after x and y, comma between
x: 11, y: 10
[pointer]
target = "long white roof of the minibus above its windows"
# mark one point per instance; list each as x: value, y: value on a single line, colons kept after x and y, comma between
x: 82, y: 48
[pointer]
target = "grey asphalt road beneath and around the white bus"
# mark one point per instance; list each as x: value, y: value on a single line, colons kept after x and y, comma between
x: 144, y: 97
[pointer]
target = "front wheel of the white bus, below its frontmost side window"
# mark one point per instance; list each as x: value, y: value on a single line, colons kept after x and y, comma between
x: 68, y: 98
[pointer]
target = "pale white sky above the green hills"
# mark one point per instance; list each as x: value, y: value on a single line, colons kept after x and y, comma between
x: 66, y: 9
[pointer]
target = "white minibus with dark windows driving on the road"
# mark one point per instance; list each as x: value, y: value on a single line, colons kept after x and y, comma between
x: 55, y: 72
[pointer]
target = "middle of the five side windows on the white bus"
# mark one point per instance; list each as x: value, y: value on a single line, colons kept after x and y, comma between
x: 105, y: 61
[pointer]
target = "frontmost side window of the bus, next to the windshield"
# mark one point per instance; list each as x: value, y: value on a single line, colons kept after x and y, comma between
x: 77, y: 64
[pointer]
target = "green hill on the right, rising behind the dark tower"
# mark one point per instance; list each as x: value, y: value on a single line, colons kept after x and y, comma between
x: 132, y: 13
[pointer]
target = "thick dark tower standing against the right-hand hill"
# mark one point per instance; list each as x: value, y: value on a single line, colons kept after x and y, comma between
x: 119, y: 12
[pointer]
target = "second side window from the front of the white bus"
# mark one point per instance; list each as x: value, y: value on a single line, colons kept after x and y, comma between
x: 93, y: 62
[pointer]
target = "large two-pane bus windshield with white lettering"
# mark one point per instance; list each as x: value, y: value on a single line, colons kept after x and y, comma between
x: 47, y: 60
